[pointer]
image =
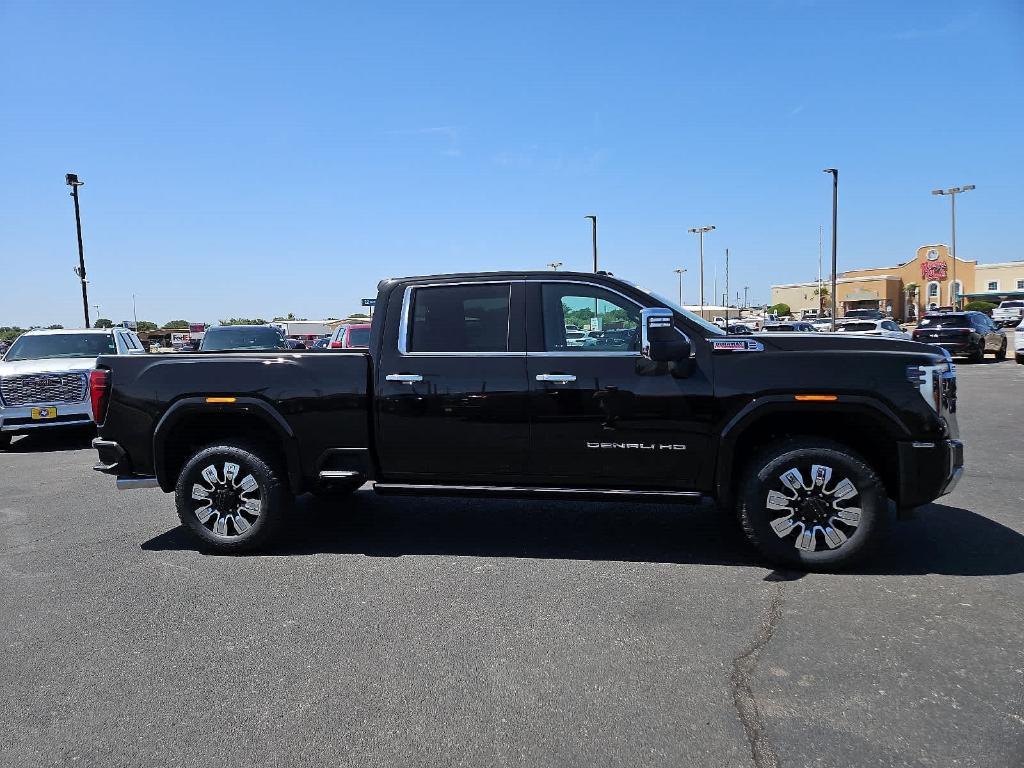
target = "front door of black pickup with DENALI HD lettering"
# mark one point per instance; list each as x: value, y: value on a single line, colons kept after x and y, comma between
x: 602, y: 414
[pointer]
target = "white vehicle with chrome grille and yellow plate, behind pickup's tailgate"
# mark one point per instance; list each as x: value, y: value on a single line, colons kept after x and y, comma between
x: 45, y: 377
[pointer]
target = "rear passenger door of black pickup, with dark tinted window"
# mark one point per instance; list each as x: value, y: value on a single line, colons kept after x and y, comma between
x: 452, y: 401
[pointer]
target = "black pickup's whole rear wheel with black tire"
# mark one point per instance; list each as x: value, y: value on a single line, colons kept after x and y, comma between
x: 243, y: 529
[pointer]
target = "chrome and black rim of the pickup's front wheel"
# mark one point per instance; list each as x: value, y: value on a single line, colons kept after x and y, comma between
x: 816, y: 518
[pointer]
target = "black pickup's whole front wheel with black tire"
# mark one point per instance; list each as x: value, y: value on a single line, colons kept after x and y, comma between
x: 839, y: 536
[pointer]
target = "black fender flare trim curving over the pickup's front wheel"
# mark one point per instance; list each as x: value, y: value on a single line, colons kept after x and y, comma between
x: 766, y: 406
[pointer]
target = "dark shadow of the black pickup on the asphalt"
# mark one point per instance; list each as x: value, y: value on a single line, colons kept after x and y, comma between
x: 942, y: 540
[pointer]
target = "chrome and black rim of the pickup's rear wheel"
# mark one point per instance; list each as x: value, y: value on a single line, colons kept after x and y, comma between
x: 228, y: 507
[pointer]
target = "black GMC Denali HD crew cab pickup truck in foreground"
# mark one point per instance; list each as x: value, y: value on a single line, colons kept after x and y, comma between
x: 474, y: 385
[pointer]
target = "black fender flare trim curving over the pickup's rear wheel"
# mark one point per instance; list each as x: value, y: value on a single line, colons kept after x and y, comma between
x: 252, y: 406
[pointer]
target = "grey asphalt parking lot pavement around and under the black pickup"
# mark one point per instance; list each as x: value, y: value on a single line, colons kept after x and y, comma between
x: 459, y: 632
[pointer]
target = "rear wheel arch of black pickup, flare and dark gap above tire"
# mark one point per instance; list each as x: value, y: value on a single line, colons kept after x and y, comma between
x: 192, y: 423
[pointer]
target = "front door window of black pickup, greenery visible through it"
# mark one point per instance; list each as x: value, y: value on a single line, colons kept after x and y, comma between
x: 616, y: 322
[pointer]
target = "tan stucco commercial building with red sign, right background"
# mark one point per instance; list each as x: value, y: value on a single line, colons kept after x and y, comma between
x: 929, y: 281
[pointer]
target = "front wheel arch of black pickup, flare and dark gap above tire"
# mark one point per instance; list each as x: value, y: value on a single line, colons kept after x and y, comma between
x: 855, y: 421
